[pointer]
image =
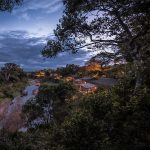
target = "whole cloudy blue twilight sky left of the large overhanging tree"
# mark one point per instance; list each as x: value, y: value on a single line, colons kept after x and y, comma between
x: 24, y: 32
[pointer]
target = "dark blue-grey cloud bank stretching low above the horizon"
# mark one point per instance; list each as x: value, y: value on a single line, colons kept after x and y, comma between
x: 24, y: 49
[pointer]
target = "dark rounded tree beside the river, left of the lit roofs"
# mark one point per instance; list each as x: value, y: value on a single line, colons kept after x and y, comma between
x: 50, y: 104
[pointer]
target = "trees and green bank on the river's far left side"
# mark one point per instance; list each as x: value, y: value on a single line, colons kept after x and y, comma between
x: 12, y: 81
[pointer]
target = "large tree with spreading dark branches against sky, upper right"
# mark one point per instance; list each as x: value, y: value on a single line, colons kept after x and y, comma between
x: 122, y: 27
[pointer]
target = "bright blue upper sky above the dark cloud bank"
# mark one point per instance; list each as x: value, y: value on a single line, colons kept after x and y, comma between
x: 36, y: 16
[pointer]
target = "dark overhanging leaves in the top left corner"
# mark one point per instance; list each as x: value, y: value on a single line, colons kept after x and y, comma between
x: 8, y: 5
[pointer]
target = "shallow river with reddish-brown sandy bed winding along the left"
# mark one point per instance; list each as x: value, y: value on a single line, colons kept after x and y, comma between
x: 12, y: 116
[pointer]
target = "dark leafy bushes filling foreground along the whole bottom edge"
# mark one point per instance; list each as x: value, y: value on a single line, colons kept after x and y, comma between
x: 109, y: 120
